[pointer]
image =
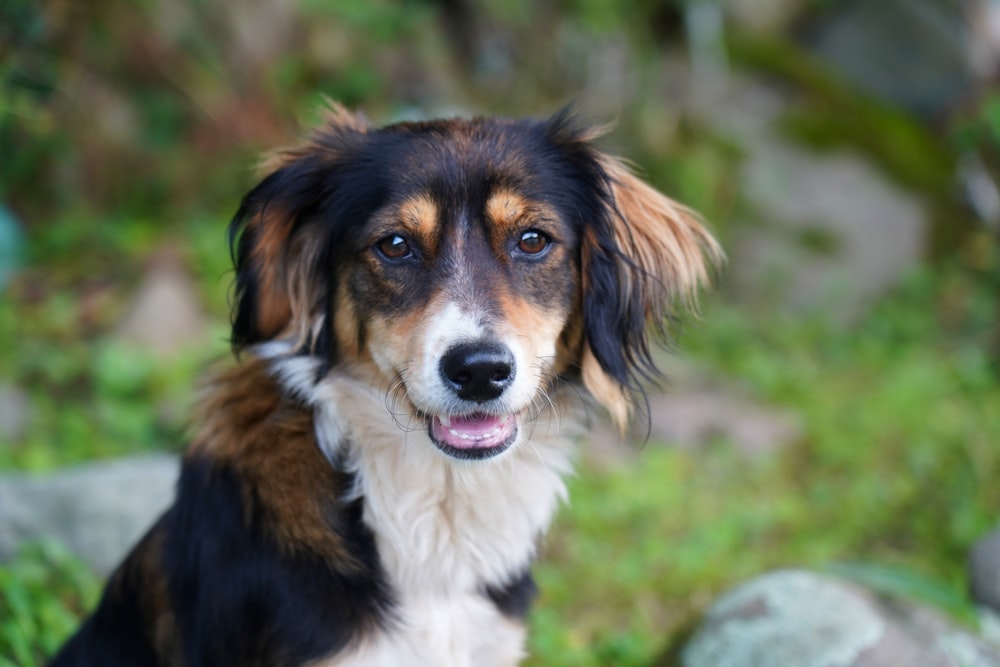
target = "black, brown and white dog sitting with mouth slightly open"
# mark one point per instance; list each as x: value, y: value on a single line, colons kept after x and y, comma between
x: 422, y: 315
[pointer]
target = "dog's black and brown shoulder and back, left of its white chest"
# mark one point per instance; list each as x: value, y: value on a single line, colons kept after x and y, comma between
x: 259, y: 560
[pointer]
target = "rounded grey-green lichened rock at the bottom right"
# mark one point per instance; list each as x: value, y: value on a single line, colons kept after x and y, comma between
x: 801, y: 619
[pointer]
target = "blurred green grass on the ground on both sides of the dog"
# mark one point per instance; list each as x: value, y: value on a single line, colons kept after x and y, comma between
x: 895, y: 472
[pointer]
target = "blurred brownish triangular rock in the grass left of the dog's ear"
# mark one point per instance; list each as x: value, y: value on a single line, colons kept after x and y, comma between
x: 165, y: 315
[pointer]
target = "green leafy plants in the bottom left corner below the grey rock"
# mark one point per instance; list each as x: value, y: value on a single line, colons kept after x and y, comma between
x: 43, y: 592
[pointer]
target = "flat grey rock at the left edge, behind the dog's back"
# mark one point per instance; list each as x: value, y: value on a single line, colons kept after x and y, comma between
x: 98, y: 511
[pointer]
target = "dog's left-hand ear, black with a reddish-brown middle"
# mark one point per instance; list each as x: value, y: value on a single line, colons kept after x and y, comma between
x: 276, y: 235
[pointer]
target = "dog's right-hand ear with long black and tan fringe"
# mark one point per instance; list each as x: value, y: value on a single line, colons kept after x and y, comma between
x: 646, y: 257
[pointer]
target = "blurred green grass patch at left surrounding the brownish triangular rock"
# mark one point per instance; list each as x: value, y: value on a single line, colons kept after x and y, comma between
x: 90, y: 394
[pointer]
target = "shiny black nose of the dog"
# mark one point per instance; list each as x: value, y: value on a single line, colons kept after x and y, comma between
x: 478, y: 372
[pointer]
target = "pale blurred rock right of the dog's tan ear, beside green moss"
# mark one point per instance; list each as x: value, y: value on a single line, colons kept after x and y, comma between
x: 834, y: 232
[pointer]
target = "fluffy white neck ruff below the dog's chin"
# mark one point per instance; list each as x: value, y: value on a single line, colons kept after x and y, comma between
x: 442, y: 526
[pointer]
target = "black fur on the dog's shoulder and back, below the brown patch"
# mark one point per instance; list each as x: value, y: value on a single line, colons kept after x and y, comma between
x: 238, y: 598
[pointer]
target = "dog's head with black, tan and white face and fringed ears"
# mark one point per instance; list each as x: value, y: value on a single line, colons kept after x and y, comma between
x: 471, y: 264
